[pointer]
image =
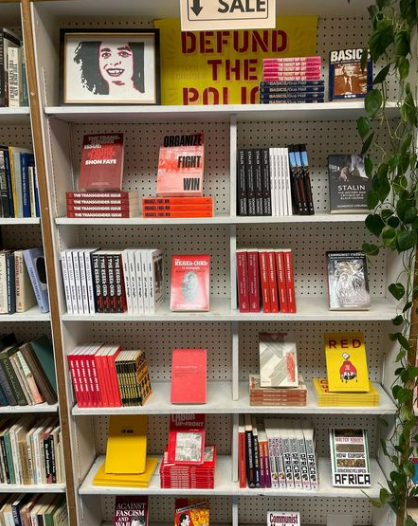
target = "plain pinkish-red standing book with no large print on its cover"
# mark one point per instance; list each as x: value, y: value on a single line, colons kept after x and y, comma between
x: 189, y: 376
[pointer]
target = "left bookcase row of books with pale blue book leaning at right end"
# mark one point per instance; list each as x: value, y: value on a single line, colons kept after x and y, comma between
x: 22, y: 281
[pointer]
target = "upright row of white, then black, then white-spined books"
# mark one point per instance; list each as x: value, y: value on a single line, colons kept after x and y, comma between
x: 112, y: 281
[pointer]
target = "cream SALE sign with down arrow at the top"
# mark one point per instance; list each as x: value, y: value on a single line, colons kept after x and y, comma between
x: 210, y: 15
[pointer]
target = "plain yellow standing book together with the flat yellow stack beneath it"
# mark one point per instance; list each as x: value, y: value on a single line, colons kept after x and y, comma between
x: 126, y: 463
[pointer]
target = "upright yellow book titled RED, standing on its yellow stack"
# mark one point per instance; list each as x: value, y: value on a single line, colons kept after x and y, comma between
x: 346, y: 362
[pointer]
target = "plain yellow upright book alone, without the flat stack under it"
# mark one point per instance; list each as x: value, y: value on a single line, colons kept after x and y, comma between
x: 126, y: 451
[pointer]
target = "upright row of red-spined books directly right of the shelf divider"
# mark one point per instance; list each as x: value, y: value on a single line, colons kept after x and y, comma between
x: 266, y: 277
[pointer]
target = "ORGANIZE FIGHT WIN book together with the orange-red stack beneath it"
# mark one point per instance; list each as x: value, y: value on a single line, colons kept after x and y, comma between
x: 180, y: 180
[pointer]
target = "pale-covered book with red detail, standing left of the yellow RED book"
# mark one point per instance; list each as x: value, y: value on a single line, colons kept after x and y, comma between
x: 278, y: 361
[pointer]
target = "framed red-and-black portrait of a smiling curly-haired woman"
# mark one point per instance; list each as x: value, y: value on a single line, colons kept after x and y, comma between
x: 110, y: 66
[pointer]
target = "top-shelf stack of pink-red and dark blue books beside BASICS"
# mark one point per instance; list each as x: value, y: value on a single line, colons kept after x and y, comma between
x: 287, y: 80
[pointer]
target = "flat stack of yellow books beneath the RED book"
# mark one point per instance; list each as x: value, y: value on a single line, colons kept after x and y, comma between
x: 327, y: 399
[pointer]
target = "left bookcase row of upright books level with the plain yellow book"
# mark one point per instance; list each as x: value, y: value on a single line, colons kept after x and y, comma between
x: 31, y: 451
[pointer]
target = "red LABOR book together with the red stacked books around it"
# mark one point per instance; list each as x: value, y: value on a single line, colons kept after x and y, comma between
x: 188, y: 462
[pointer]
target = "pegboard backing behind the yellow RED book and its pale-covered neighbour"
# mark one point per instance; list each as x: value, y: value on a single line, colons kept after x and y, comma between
x: 309, y: 338
